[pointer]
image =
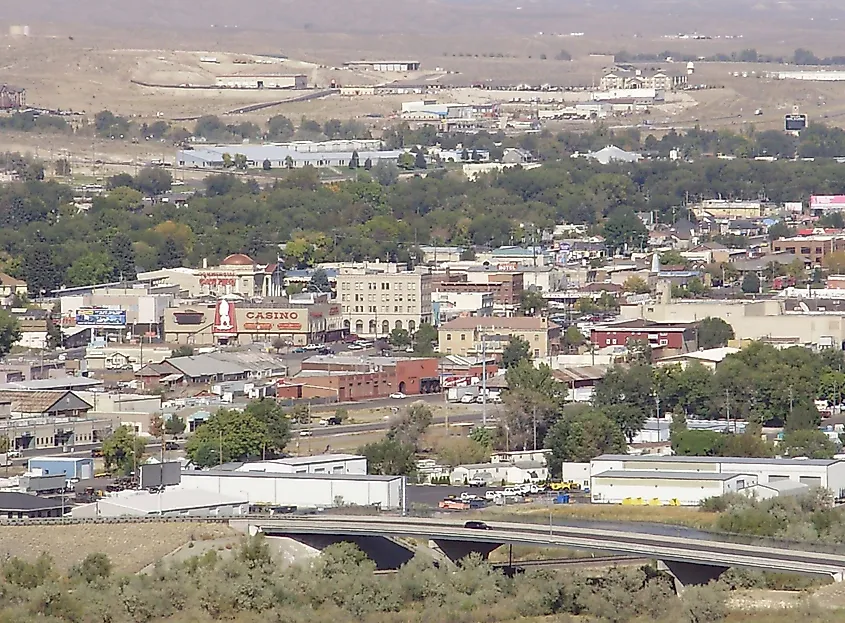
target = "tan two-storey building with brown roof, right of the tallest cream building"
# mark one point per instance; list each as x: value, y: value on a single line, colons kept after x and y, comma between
x: 469, y: 336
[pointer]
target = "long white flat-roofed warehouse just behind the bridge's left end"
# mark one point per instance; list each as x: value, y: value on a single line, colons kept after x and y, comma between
x: 302, y: 490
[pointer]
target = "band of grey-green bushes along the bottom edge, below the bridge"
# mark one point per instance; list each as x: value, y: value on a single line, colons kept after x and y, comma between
x: 249, y: 584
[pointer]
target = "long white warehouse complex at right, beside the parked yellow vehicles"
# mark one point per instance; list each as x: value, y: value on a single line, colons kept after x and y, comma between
x: 829, y: 474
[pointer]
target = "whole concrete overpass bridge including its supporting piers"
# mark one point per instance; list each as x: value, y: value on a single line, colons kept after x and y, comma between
x: 692, y: 558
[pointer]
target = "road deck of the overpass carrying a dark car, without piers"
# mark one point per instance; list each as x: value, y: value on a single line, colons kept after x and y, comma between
x: 709, y: 552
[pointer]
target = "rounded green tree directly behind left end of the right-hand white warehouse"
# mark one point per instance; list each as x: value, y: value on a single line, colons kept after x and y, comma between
x: 581, y: 435
